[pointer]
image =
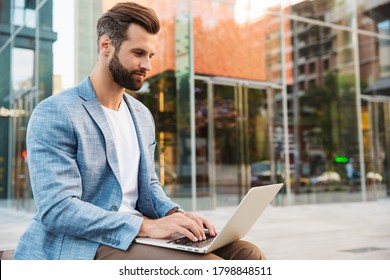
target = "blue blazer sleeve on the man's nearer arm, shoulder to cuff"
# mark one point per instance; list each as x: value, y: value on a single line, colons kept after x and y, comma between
x: 57, y: 185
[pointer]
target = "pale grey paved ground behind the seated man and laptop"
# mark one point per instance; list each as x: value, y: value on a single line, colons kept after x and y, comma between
x: 341, y: 231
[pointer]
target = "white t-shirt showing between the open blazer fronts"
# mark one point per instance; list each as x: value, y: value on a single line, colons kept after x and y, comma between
x: 127, y: 148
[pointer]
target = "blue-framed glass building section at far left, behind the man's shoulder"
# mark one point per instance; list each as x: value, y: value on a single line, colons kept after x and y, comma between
x: 21, y: 54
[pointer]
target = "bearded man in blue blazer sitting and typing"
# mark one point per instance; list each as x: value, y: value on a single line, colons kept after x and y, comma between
x: 91, y: 160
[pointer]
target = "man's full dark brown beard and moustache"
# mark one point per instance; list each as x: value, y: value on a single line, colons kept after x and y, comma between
x: 124, y: 77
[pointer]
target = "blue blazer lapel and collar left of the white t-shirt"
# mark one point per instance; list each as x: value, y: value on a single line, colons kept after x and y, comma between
x: 93, y: 106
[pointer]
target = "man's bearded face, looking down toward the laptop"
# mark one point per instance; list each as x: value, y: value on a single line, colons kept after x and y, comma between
x: 129, y: 64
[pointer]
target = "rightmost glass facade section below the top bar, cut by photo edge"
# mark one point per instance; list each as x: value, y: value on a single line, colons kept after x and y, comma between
x: 375, y: 86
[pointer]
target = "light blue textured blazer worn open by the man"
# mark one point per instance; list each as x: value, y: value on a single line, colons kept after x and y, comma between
x: 74, y: 176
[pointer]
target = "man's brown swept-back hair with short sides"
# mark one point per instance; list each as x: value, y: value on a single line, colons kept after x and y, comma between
x: 115, y: 22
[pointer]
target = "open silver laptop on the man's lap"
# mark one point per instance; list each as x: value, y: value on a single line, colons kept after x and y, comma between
x: 242, y: 220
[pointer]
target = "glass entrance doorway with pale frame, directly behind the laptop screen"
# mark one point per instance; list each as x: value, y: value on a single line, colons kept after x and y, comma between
x: 234, y: 138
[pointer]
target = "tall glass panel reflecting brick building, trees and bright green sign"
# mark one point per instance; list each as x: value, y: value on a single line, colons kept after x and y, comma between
x: 327, y: 128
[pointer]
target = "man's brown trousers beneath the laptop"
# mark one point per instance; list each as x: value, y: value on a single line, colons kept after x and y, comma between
x: 238, y: 250
